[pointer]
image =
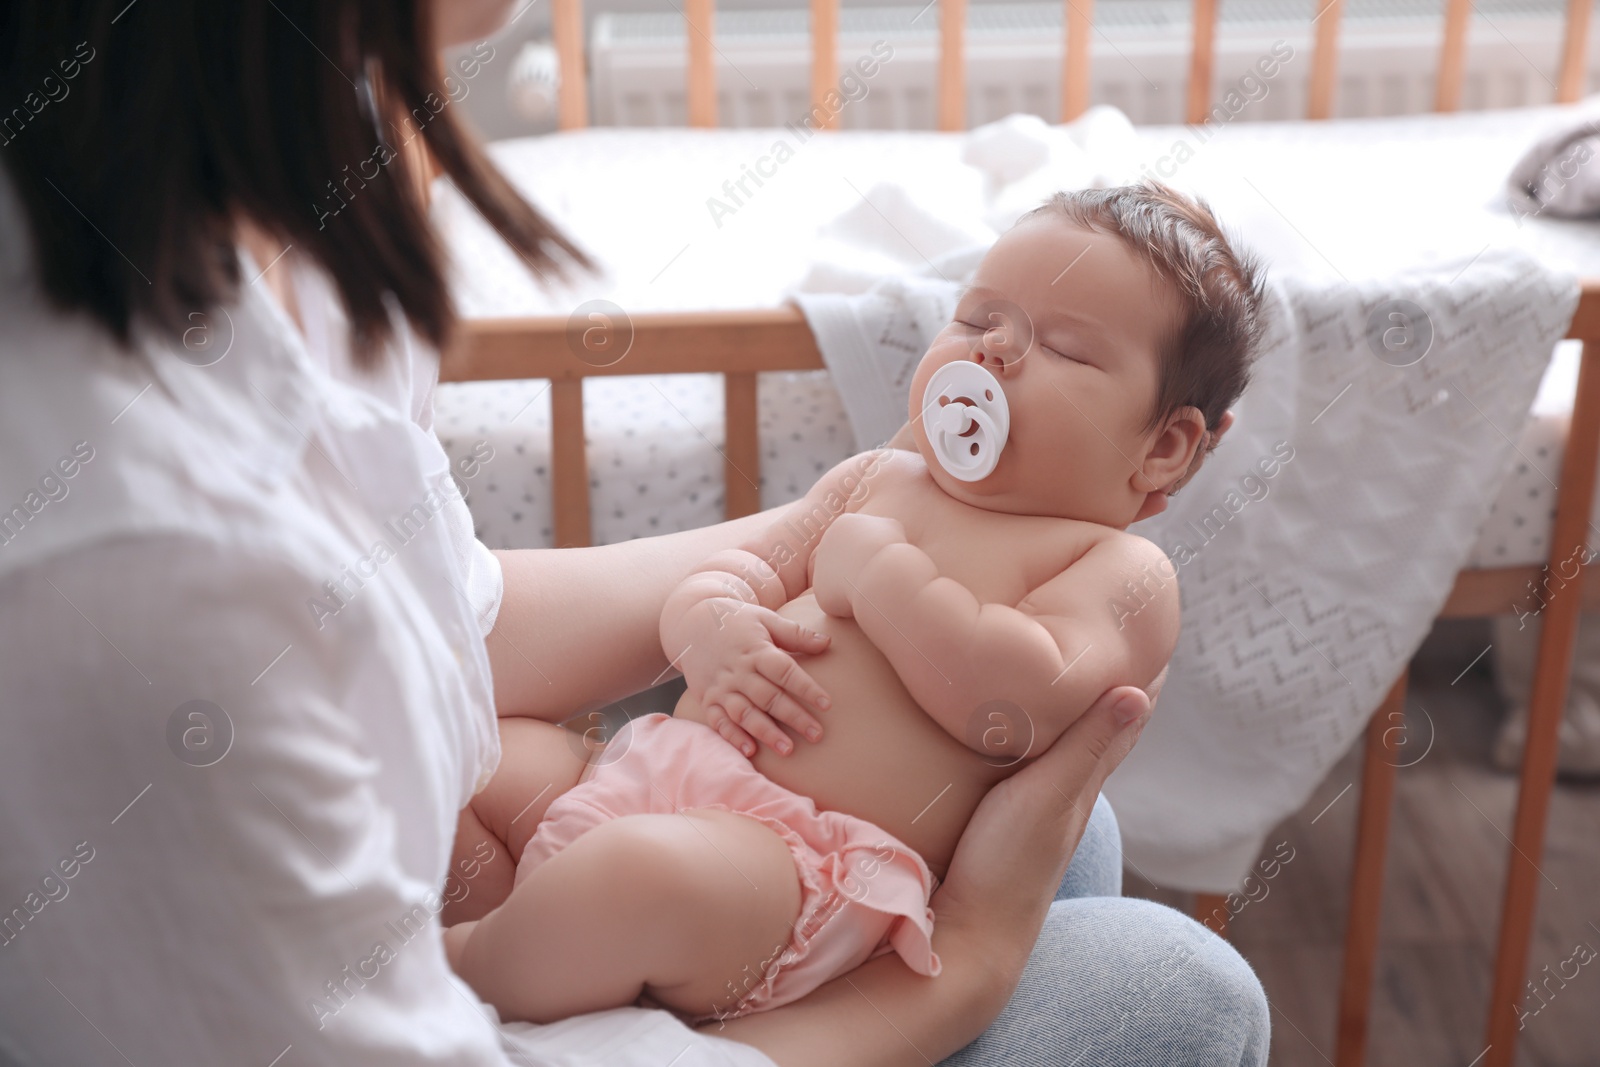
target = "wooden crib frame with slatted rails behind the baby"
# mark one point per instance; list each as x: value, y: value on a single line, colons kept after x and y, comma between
x: 746, y: 343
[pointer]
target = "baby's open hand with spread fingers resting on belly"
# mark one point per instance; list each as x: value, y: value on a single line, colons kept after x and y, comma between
x: 738, y: 668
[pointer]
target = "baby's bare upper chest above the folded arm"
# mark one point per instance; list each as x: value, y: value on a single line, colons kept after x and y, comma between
x: 996, y: 556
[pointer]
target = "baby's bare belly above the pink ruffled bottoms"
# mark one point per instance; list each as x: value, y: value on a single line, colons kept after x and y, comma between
x: 881, y: 757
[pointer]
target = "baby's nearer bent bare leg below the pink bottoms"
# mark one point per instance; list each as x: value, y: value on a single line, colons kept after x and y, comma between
x: 686, y: 908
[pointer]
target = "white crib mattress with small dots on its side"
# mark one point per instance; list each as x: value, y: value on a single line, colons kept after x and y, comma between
x: 1337, y: 199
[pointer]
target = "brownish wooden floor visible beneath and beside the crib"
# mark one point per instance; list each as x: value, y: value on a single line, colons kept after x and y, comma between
x: 1447, y: 861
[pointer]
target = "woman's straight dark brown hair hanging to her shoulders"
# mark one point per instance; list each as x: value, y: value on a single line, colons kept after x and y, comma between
x: 138, y: 135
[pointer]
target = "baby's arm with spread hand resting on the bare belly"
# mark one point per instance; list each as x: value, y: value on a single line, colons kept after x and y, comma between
x: 722, y: 629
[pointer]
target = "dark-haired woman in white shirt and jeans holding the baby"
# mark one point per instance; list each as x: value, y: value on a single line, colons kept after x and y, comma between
x: 249, y: 642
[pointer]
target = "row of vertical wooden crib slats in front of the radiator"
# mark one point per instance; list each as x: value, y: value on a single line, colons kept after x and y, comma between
x: 1078, y: 31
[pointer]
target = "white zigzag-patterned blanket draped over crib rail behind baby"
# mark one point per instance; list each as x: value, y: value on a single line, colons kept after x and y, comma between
x: 1308, y: 591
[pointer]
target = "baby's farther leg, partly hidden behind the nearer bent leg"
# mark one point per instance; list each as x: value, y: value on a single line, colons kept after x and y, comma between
x: 538, y: 764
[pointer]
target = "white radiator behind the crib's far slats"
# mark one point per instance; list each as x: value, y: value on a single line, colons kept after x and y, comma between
x: 1388, y: 62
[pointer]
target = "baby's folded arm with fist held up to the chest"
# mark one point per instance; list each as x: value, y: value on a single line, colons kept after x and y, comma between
x: 1049, y: 658
